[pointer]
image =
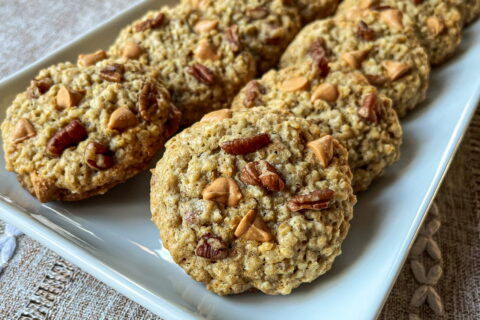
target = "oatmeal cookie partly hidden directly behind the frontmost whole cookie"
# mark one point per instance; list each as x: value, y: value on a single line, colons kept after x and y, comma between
x: 343, y: 105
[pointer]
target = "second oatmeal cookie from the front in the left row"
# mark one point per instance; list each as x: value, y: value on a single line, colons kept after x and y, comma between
x: 200, y: 67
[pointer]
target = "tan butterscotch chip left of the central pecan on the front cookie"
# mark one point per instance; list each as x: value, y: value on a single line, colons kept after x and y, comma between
x: 223, y: 190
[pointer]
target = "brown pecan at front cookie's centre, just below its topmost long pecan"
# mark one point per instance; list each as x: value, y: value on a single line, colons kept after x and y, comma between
x: 262, y: 174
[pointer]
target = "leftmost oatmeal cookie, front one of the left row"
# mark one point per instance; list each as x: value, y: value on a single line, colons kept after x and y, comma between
x: 77, y: 131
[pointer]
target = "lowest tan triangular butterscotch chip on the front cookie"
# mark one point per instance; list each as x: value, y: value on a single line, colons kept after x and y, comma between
x: 252, y: 227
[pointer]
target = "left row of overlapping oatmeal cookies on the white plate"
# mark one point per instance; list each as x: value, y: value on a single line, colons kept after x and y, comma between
x: 203, y: 51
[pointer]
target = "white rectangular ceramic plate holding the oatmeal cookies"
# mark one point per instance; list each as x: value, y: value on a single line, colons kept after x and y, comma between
x: 112, y: 238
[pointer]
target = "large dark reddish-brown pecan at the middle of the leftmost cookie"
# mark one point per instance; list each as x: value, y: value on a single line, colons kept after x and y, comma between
x: 68, y: 136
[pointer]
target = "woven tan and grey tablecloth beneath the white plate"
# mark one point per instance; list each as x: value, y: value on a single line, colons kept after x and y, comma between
x: 39, y: 284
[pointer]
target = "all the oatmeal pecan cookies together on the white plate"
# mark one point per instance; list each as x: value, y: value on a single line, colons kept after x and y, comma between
x: 259, y: 193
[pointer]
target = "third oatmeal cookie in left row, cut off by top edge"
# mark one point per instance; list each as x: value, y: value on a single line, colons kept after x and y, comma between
x: 263, y: 27
